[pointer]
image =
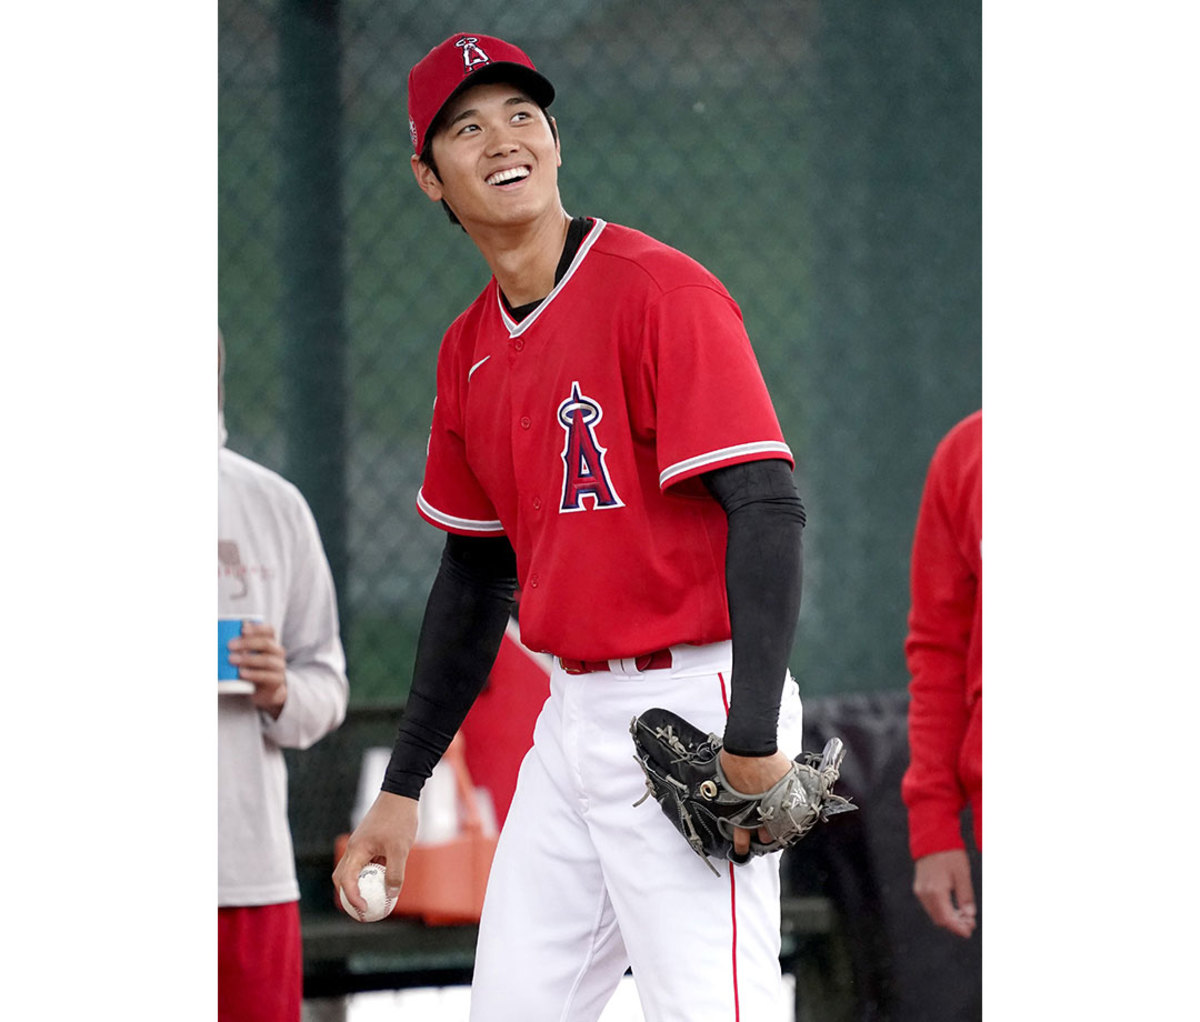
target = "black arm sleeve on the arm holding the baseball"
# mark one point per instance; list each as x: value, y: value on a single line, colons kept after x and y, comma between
x: 461, y: 634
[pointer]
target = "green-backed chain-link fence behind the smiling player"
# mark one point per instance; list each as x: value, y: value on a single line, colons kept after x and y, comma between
x: 823, y: 159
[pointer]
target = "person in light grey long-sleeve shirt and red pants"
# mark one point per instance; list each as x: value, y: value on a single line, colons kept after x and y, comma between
x: 272, y: 567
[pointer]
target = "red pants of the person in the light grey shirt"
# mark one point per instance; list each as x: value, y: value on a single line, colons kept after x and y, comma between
x: 260, y: 964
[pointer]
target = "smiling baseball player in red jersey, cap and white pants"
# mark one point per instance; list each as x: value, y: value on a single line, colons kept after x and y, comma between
x: 603, y: 441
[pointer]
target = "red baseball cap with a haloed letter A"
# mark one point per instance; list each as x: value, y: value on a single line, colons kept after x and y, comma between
x: 463, y: 61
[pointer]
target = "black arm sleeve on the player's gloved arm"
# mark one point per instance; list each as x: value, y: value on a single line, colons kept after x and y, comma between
x: 764, y: 569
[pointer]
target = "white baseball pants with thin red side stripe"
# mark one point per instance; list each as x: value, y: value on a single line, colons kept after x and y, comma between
x: 585, y: 885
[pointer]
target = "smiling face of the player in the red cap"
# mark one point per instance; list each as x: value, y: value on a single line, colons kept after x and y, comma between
x: 497, y: 160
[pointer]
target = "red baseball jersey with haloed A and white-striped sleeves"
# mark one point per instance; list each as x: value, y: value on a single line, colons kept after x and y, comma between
x: 580, y: 434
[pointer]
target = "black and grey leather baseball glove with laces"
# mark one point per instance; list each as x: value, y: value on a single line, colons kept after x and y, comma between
x: 683, y: 772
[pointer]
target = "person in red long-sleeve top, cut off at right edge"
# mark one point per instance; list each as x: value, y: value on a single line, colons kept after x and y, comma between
x: 945, y: 656
